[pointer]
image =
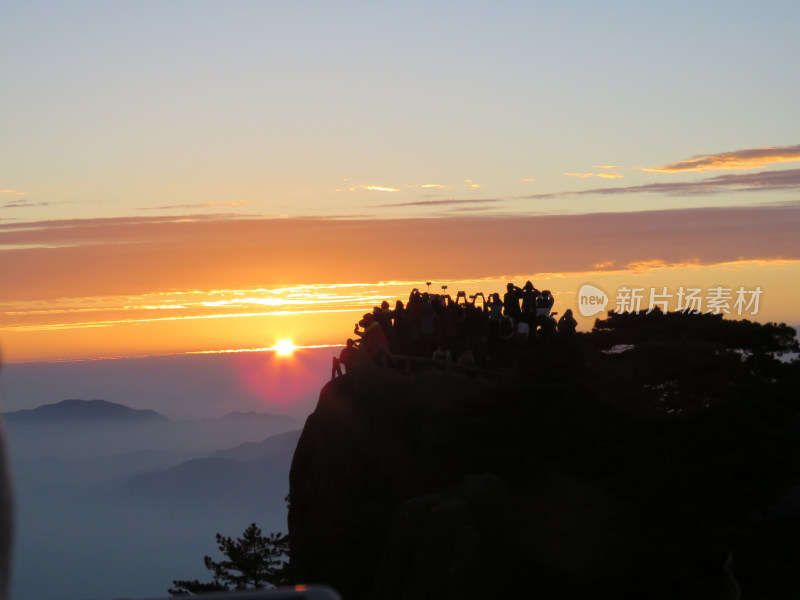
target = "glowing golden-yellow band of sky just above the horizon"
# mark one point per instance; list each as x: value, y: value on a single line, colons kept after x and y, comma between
x: 328, y: 325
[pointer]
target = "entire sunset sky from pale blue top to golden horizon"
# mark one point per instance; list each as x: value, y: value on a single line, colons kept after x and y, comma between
x: 193, y: 176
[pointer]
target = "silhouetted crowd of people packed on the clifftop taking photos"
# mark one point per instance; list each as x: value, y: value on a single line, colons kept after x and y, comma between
x: 472, y: 331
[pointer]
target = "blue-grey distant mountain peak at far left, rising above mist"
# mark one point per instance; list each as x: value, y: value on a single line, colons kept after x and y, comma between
x: 83, y: 410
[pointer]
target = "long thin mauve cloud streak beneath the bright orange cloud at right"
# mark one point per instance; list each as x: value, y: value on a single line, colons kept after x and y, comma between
x: 788, y: 179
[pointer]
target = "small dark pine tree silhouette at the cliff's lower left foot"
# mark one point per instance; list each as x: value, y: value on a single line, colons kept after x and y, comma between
x: 252, y: 561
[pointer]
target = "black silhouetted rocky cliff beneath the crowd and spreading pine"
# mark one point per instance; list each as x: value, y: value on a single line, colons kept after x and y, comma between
x: 441, y: 485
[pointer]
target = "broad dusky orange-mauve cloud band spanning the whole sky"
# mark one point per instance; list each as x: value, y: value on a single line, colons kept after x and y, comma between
x: 133, y: 256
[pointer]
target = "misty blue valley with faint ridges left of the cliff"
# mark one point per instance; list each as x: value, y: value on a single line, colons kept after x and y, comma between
x: 116, y: 502
